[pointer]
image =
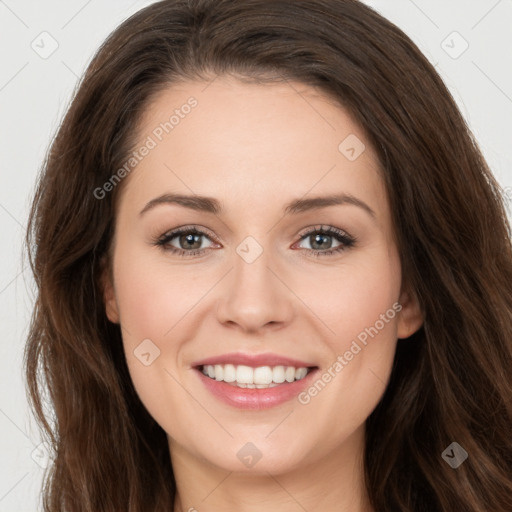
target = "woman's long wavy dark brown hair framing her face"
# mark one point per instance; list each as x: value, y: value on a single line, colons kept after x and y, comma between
x: 451, y: 381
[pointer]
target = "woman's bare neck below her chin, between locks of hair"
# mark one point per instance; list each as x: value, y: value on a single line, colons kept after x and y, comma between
x: 332, y: 482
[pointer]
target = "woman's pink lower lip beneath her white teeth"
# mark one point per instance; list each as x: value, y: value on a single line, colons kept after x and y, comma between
x: 247, y: 398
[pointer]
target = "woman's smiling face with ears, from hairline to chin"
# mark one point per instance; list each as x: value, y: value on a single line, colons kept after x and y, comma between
x: 288, y: 271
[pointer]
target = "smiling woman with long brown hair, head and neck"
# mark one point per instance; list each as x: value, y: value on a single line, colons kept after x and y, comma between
x: 202, y: 350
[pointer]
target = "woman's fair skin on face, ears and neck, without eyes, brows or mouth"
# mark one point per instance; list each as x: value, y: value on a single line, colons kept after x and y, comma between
x: 255, y: 148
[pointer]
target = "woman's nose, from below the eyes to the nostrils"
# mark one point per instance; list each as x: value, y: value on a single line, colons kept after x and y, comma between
x: 254, y: 296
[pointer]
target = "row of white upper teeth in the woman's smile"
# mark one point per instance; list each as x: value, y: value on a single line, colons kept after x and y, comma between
x: 259, y: 378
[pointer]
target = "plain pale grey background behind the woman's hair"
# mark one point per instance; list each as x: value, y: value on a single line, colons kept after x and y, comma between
x: 35, y: 89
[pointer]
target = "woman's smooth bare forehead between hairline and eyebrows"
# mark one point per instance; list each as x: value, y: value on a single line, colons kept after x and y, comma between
x: 251, y: 141
